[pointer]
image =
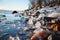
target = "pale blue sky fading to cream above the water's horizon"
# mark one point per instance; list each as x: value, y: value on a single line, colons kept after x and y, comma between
x: 14, y: 4
